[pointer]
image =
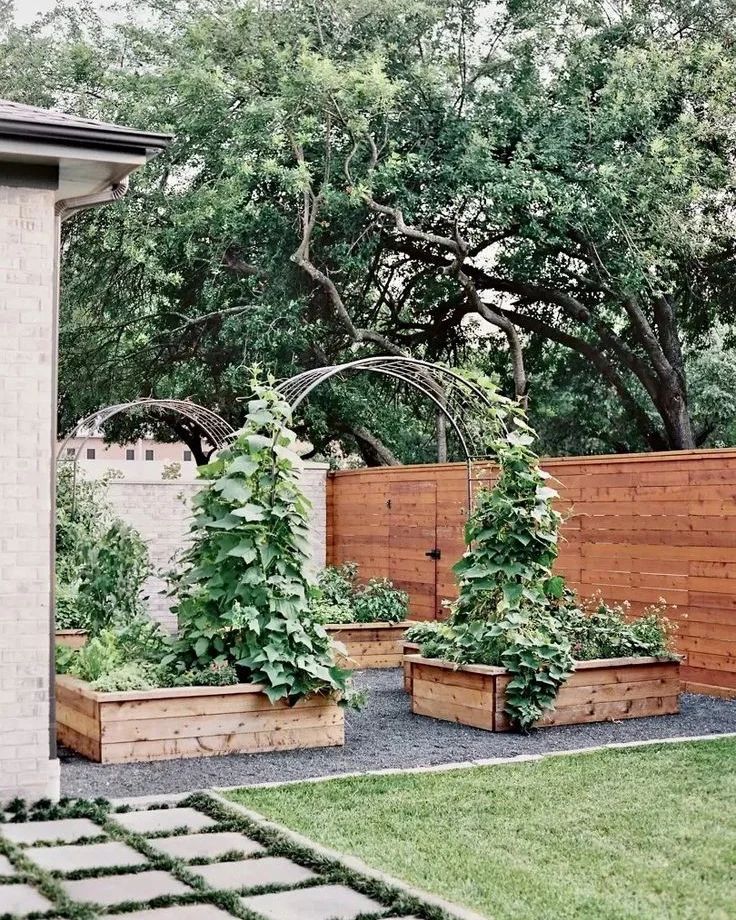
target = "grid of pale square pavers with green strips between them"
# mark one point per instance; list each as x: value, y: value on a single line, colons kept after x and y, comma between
x: 177, y: 863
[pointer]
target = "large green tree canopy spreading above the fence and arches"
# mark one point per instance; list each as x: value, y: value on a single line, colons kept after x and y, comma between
x: 452, y: 179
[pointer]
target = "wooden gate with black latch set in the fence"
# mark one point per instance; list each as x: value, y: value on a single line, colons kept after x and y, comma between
x: 412, y: 537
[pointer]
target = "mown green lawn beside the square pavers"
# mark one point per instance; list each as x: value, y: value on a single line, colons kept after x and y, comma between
x: 616, y: 835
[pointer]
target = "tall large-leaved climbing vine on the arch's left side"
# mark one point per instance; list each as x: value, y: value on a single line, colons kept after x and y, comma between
x: 242, y: 596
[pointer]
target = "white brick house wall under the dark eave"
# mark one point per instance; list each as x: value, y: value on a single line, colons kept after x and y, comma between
x: 27, y: 385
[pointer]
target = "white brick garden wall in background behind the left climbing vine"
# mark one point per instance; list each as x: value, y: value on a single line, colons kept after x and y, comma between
x: 160, y: 512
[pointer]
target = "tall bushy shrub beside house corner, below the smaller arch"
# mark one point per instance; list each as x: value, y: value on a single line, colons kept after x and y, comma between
x: 101, y: 562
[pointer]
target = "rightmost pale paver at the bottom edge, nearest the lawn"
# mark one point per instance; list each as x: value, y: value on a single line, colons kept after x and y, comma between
x: 325, y: 902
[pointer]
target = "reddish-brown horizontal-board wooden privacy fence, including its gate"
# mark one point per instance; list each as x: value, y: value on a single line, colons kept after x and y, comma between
x: 639, y: 527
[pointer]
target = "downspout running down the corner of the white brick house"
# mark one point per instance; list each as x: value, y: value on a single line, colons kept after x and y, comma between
x: 63, y: 210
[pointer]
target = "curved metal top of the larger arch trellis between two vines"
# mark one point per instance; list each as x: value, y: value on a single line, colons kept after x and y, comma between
x: 456, y: 397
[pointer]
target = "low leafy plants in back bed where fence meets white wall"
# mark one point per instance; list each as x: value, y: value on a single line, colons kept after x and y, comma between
x: 340, y: 599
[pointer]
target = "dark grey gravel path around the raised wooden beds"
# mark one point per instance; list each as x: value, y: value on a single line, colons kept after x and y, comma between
x: 384, y: 734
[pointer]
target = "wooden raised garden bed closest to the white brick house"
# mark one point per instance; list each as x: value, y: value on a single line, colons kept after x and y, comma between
x: 141, y: 725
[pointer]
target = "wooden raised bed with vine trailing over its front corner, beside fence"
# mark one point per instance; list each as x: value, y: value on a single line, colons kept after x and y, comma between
x: 598, y: 691
